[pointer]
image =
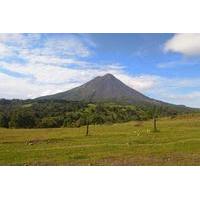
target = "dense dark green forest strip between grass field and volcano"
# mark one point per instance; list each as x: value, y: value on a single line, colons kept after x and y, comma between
x: 62, y: 113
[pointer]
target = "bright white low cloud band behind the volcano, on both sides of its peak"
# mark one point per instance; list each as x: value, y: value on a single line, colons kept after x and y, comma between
x: 48, y: 79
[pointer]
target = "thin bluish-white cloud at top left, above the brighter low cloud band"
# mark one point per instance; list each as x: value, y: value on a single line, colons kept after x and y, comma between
x: 65, y: 45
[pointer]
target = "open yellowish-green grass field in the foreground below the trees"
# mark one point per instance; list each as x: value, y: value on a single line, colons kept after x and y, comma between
x: 132, y: 143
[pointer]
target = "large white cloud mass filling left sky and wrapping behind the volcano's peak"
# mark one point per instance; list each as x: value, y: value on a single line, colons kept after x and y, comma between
x: 32, y: 65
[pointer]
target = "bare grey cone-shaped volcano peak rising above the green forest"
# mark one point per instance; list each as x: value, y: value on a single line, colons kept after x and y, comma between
x: 105, y: 88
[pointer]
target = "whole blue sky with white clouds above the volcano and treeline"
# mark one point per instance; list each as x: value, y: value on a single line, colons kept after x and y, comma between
x: 162, y: 66
